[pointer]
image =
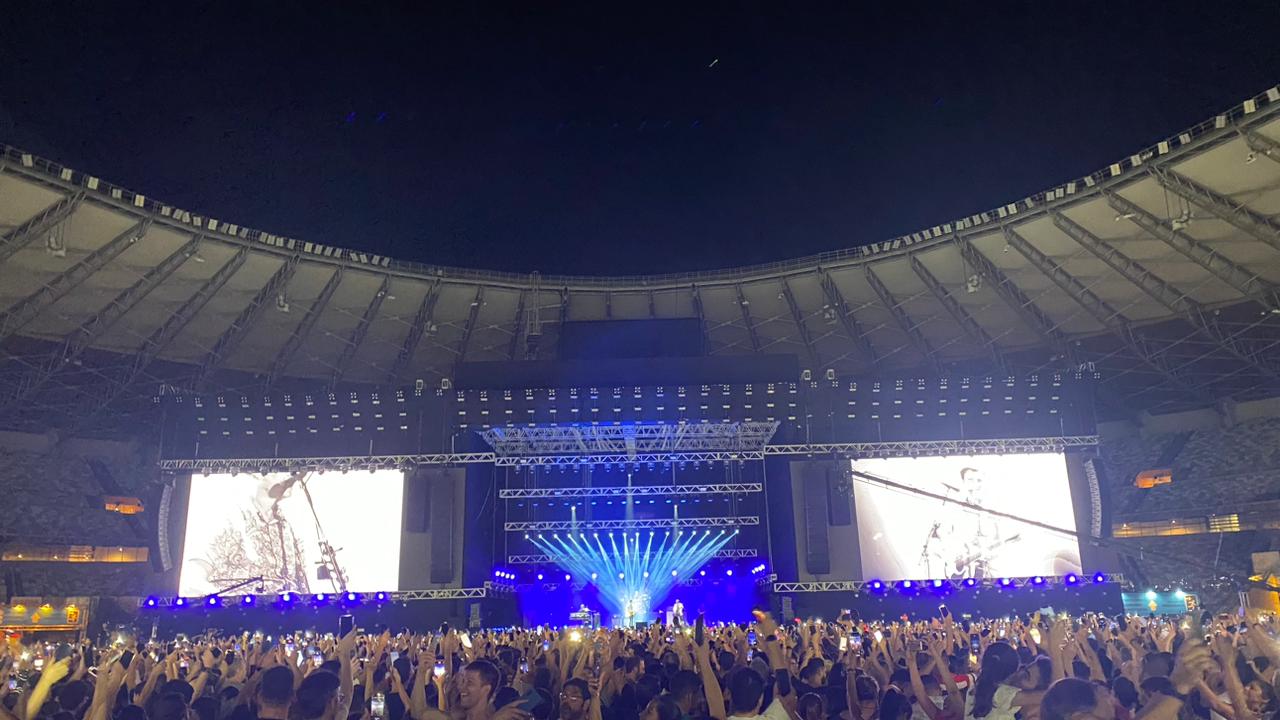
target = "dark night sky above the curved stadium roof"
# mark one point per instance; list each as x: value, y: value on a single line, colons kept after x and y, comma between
x: 582, y: 139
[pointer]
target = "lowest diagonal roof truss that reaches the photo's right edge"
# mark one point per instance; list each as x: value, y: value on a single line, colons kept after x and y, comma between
x: 1169, y: 297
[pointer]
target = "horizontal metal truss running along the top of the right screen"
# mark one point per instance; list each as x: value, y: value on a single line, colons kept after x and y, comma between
x: 911, y: 449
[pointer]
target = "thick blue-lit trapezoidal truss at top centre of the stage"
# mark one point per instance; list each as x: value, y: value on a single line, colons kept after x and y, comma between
x: 630, y: 441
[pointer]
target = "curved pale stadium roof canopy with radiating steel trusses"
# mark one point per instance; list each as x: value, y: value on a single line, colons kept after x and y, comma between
x: 1160, y: 271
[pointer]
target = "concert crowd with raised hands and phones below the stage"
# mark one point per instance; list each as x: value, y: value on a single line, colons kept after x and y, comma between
x: 1037, y: 668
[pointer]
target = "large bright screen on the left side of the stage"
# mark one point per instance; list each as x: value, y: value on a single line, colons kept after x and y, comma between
x: 277, y: 526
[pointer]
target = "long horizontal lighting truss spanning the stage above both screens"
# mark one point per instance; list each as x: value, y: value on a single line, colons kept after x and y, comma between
x: 577, y: 457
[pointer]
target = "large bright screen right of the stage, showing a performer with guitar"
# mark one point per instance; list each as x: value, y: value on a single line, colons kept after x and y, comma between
x: 982, y: 517
